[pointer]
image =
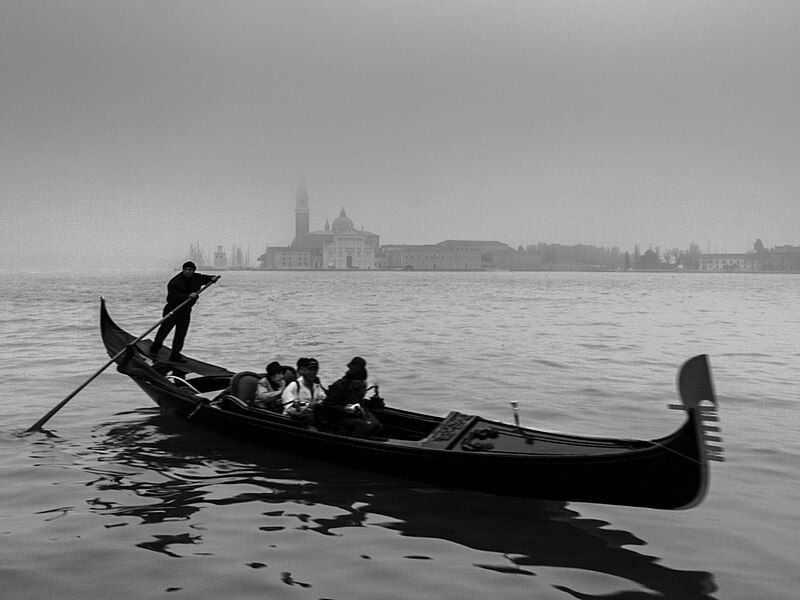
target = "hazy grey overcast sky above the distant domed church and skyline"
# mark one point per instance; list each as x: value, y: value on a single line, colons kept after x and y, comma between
x: 129, y: 130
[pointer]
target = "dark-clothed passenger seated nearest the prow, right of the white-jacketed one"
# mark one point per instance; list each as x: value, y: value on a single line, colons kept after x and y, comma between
x: 343, y: 410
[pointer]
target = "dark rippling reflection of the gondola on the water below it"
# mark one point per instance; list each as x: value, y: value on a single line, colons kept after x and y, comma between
x: 525, y: 534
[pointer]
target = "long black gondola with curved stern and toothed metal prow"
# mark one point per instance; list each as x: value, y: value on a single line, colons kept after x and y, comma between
x: 459, y: 450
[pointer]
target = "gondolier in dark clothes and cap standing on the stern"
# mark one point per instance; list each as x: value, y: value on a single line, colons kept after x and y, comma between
x: 184, y: 286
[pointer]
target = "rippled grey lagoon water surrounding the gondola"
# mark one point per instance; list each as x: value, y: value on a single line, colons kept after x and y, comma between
x: 115, y: 501
